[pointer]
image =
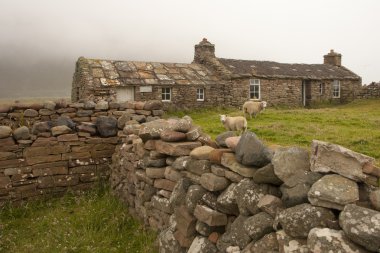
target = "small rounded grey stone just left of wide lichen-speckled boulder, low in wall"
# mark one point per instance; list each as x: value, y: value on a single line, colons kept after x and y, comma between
x: 259, y: 225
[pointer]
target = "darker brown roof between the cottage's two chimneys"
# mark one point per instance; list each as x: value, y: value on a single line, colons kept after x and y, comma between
x: 271, y: 69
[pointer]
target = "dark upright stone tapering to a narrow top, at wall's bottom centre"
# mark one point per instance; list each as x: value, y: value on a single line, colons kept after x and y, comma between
x: 235, y: 235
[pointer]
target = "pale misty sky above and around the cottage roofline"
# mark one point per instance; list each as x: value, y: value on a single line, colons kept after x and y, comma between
x: 41, y: 40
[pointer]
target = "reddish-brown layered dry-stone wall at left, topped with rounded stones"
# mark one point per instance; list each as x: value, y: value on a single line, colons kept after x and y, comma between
x: 49, y: 147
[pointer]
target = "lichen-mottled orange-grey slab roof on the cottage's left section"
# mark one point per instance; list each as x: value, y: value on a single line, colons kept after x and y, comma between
x: 125, y: 73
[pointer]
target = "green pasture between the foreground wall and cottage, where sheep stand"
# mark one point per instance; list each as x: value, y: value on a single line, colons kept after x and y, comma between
x: 355, y: 125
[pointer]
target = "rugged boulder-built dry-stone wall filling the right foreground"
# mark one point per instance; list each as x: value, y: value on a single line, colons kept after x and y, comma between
x: 237, y: 195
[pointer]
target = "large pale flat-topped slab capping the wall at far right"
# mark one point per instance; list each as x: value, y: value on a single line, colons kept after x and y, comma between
x: 329, y: 157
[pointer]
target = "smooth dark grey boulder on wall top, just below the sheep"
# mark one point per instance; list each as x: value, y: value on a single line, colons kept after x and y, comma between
x: 251, y: 151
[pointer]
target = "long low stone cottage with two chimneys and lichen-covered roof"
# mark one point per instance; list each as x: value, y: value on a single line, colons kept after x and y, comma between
x: 213, y: 81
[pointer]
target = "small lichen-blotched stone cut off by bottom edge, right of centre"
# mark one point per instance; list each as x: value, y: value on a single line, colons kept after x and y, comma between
x: 289, y: 244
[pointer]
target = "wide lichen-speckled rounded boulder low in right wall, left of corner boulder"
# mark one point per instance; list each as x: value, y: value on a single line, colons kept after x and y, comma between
x: 297, y: 221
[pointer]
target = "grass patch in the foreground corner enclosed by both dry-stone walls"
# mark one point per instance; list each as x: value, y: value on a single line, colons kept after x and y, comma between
x: 92, y: 222
